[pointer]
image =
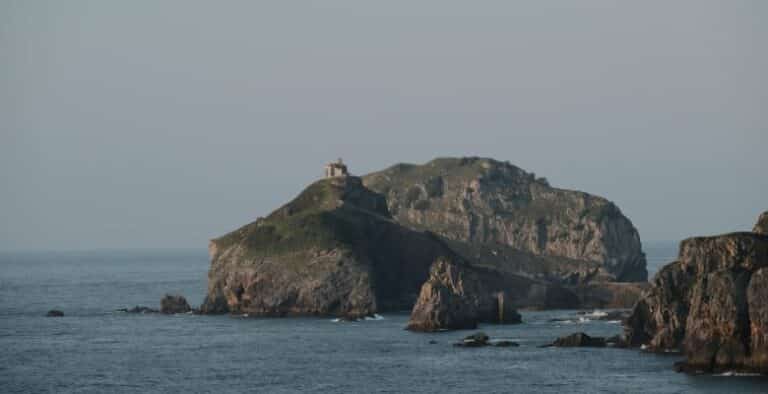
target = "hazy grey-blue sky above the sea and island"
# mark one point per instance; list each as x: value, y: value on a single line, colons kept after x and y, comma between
x: 166, y: 123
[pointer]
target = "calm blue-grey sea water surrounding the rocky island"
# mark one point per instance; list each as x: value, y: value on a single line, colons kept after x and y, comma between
x: 95, y: 350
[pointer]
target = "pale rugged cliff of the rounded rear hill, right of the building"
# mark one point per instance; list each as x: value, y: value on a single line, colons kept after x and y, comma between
x: 483, y: 201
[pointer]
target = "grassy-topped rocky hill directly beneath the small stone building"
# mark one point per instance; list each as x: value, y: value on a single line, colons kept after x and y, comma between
x: 333, y: 250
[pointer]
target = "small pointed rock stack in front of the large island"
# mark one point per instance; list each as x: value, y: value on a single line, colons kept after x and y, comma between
x: 457, y: 296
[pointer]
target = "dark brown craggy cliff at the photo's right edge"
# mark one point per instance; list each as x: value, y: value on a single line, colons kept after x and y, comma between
x: 712, y: 303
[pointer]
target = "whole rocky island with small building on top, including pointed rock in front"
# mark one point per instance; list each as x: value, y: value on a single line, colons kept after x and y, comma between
x: 460, y: 241
